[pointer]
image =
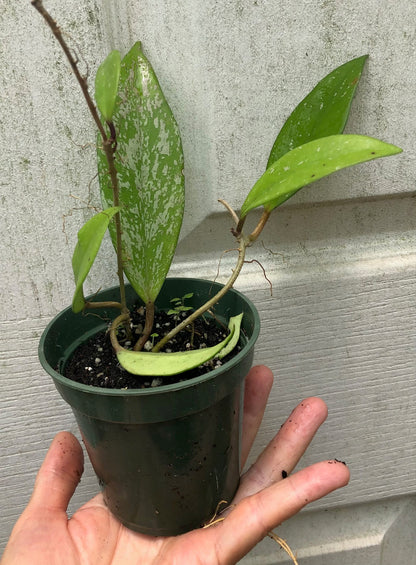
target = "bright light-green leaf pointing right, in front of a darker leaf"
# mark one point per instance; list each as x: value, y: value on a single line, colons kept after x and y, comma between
x: 311, y: 162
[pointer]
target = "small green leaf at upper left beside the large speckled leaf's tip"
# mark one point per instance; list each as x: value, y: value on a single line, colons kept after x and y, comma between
x: 106, y: 84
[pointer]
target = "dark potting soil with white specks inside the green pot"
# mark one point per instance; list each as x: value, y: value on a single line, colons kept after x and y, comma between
x: 95, y: 363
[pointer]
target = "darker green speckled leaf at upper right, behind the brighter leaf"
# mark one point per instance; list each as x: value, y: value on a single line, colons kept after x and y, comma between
x: 323, y: 112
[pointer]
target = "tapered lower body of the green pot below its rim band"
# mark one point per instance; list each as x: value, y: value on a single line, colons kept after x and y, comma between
x: 167, y: 478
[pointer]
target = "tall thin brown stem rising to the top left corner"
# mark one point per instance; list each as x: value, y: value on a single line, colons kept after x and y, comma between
x: 108, y: 142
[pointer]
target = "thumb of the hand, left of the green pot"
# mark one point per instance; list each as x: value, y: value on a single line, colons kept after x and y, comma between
x: 59, y: 474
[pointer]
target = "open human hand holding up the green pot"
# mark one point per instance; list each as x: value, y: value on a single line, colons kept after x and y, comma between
x: 44, y: 535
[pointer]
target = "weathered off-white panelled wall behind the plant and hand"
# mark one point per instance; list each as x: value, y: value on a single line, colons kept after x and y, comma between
x: 341, y: 256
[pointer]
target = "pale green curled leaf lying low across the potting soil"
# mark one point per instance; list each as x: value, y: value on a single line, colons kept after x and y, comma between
x: 166, y: 364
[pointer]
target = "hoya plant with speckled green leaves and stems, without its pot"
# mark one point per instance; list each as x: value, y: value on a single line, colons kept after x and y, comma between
x: 140, y: 166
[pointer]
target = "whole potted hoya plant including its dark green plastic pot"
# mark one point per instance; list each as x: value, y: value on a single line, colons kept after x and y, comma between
x: 162, y: 431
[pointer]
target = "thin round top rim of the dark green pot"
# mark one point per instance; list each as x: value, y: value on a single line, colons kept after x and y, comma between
x: 163, y: 389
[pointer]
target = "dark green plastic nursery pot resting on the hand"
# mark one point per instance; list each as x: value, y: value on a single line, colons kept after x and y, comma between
x: 166, y: 456
